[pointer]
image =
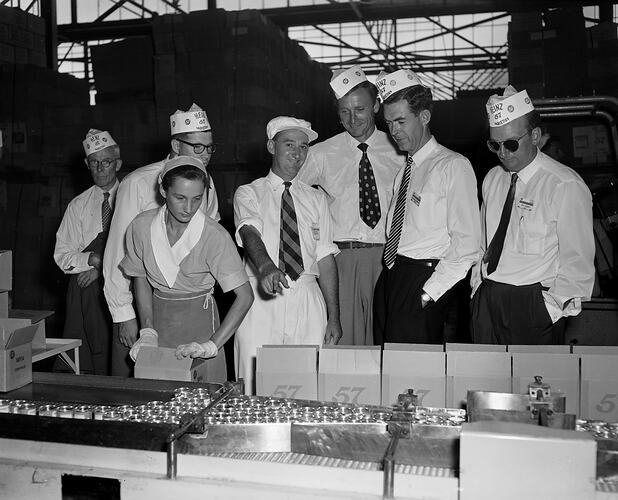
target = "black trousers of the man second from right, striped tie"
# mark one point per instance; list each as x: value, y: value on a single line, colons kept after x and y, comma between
x: 398, y: 315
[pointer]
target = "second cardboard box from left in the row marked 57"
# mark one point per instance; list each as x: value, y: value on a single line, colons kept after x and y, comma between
x: 349, y: 374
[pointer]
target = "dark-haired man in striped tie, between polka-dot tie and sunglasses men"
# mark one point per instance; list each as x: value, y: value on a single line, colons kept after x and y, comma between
x: 433, y: 227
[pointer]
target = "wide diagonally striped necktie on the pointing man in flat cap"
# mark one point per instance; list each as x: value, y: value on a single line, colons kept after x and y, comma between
x: 290, y: 255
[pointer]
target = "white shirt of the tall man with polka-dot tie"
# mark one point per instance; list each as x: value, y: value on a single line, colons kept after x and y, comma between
x: 334, y: 165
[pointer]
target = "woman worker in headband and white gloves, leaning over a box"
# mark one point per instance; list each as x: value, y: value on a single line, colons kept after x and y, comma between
x: 174, y: 255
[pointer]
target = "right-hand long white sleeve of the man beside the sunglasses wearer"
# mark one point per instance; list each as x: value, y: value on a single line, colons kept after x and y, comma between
x: 464, y: 229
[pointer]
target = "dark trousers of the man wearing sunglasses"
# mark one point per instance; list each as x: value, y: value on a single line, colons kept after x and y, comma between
x: 509, y: 314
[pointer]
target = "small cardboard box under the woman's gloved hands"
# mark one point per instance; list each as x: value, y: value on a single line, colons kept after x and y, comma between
x: 160, y: 363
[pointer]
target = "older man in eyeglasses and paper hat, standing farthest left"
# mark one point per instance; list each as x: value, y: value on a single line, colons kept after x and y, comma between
x: 80, y: 242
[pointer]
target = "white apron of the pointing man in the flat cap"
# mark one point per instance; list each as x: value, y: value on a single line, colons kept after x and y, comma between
x: 297, y: 316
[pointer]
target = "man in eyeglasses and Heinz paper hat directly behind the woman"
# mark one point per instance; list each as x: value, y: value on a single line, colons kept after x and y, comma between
x: 191, y: 136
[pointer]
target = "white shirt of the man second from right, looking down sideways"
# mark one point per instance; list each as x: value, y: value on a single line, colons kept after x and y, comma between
x: 442, y: 215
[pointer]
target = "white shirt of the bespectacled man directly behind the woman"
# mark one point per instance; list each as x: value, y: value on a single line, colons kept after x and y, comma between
x: 138, y: 192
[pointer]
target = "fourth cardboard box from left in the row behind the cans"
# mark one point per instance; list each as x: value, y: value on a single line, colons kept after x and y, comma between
x: 480, y: 367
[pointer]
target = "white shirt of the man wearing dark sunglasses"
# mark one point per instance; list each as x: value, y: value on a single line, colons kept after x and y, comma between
x: 549, y: 239
